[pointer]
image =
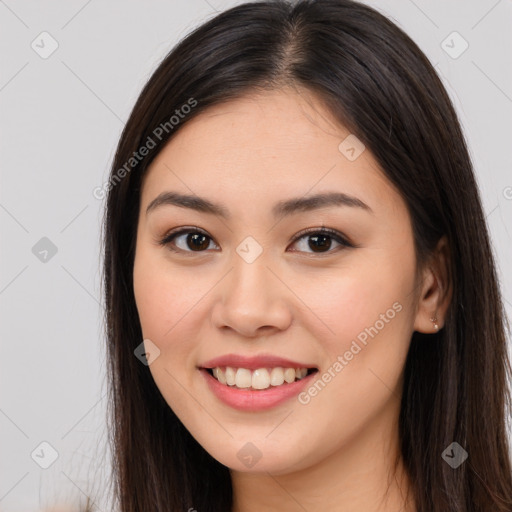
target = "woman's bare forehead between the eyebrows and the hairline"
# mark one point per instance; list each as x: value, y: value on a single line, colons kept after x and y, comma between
x: 265, y: 146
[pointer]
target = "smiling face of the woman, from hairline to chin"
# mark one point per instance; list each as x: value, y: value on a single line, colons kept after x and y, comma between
x: 257, y: 277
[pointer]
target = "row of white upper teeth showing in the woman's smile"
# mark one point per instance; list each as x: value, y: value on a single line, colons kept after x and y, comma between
x: 262, y: 378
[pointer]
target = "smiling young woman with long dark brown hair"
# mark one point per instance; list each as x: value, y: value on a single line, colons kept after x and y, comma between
x: 302, y: 305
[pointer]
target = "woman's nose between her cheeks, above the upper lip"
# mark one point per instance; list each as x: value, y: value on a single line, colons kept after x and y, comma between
x: 252, y: 300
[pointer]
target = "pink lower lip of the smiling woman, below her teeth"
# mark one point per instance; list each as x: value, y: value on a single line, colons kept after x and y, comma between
x: 251, y: 400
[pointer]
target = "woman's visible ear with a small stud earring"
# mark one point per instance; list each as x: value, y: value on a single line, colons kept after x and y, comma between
x: 435, y: 292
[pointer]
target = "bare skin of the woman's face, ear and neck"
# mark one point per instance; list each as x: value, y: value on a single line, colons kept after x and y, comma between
x: 334, y: 450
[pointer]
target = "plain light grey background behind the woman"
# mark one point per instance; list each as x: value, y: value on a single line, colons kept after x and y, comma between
x: 60, y: 121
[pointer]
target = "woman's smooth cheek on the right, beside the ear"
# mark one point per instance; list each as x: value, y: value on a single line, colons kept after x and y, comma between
x: 364, y: 315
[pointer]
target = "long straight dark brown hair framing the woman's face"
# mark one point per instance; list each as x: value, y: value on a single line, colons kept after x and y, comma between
x: 377, y: 83
